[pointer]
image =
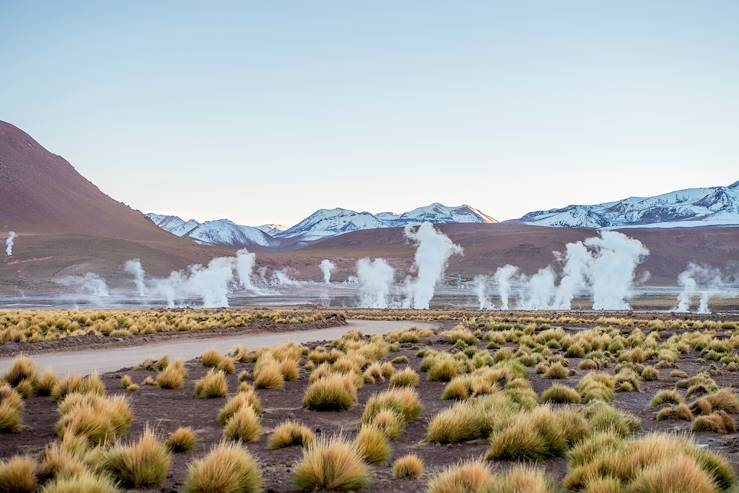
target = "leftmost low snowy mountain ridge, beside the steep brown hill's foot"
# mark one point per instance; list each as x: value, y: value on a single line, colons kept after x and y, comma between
x: 223, y: 232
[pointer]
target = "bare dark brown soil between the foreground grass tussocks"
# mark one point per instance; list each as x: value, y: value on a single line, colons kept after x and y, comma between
x: 168, y: 409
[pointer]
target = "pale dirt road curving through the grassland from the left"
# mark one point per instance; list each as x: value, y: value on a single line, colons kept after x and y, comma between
x: 103, y: 360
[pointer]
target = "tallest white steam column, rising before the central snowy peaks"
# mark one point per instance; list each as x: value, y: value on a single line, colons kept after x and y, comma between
x: 432, y: 254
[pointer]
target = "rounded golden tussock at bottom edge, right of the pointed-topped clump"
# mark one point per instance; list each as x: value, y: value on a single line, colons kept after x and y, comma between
x: 226, y: 468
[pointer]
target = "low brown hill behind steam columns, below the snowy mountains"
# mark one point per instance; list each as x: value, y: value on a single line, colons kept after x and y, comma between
x: 489, y: 246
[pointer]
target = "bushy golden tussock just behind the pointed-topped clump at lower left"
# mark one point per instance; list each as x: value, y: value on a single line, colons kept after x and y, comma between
x: 95, y: 418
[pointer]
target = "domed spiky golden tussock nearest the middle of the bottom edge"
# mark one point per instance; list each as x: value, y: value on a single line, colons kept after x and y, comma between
x: 331, y: 464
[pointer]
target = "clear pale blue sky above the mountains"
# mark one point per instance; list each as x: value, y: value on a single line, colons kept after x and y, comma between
x: 263, y: 112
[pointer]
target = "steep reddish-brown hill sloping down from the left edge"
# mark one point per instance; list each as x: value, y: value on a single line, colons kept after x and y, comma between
x: 66, y: 225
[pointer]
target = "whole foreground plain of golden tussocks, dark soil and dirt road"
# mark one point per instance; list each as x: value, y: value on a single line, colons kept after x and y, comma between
x: 437, y: 401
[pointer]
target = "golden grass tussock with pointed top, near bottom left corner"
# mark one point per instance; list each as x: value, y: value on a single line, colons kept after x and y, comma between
x: 143, y: 464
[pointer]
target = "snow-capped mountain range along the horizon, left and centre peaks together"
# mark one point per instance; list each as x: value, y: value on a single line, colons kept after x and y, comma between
x: 323, y: 223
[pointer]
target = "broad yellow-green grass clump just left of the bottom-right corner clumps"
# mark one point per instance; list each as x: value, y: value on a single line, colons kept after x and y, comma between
x: 537, y: 434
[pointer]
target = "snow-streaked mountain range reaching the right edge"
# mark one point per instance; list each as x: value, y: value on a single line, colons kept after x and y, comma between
x: 714, y: 206
